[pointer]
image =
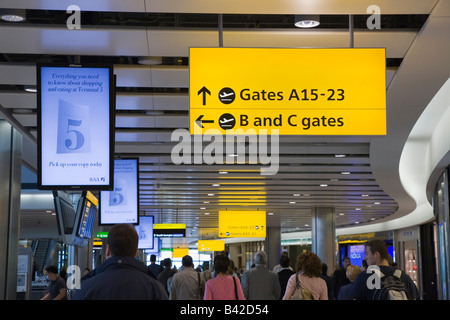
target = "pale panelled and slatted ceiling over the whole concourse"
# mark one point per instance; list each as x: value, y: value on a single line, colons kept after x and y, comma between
x: 146, y: 119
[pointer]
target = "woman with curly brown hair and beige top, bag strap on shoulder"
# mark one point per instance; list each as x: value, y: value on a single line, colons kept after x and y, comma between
x: 309, y: 269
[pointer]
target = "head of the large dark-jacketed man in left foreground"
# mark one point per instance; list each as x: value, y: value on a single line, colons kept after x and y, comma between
x: 122, y: 241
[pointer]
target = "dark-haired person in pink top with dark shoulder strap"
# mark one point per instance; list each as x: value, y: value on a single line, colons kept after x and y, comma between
x: 223, y: 286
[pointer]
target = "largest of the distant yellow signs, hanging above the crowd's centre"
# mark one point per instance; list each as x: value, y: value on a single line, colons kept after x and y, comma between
x: 246, y: 224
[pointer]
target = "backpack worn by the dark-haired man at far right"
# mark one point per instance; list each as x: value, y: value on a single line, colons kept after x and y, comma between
x: 392, y: 288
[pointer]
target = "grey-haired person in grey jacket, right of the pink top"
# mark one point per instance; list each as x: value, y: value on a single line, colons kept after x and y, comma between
x: 259, y: 283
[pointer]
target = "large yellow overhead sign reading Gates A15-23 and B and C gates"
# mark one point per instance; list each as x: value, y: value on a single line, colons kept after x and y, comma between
x: 297, y: 91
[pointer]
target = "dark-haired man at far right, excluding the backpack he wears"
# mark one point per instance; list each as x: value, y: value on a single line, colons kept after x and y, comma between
x: 367, y: 284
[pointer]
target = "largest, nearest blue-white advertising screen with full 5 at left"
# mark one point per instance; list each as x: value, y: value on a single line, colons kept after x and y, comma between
x: 76, y: 122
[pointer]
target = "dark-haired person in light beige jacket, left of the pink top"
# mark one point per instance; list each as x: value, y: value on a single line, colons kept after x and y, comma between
x: 187, y: 284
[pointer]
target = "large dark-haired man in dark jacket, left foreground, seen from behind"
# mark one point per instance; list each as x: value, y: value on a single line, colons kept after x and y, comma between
x: 121, y: 276
